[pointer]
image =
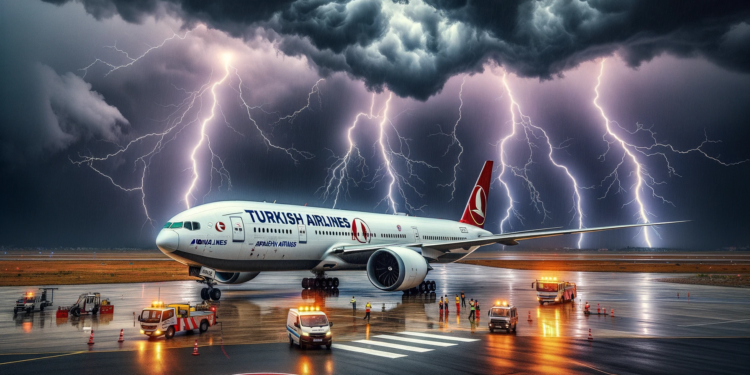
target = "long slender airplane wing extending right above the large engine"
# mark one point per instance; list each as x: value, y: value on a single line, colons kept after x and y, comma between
x: 508, y: 239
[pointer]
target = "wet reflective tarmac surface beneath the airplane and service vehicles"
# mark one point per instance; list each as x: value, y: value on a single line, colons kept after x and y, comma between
x: 653, y: 331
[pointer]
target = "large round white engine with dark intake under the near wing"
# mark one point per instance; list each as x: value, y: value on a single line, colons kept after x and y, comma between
x: 396, y: 268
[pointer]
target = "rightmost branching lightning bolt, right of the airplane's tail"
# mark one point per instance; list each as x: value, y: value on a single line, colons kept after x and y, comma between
x: 644, y: 180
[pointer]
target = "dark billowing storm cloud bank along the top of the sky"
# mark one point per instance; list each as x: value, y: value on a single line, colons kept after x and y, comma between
x: 412, y: 48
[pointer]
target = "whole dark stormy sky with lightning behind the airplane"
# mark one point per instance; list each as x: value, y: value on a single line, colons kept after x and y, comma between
x: 104, y: 103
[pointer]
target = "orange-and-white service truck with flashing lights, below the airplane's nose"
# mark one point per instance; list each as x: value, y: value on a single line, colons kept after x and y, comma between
x: 166, y: 320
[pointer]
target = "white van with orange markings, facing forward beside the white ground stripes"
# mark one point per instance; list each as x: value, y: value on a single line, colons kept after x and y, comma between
x: 308, y: 326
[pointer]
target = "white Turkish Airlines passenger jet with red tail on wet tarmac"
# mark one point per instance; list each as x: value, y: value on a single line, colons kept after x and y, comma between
x: 232, y: 242
